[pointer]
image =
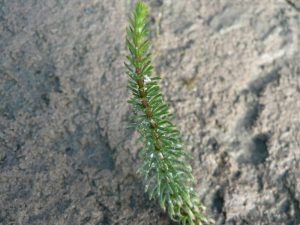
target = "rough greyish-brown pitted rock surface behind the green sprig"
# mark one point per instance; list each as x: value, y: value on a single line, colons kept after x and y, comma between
x: 230, y: 72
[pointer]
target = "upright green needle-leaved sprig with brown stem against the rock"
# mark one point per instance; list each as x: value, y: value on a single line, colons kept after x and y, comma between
x: 167, y: 177
